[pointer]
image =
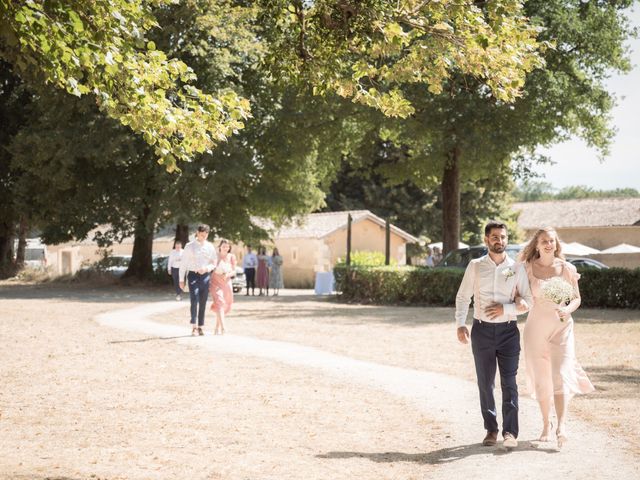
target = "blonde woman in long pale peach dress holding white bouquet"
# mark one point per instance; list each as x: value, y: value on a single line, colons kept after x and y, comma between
x: 552, y: 371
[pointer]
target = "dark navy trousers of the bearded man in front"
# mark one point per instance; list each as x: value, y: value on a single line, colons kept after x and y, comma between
x: 497, y: 344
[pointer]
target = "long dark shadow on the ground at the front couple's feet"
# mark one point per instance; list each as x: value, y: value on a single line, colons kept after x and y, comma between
x: 439, y: 457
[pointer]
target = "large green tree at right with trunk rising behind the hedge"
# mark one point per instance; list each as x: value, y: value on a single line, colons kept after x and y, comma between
x: 464, y: 138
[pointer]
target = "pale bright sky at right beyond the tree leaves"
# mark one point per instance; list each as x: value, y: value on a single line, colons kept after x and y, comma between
x: 577, y: 164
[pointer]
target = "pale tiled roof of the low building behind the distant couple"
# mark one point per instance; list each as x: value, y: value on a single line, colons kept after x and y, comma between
x: 319, y: 225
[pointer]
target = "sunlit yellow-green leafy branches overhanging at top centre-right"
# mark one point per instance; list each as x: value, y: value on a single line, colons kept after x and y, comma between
x: 371, y: 50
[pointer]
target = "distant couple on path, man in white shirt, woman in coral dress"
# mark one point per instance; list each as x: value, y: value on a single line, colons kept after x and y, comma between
x: 208, y: 271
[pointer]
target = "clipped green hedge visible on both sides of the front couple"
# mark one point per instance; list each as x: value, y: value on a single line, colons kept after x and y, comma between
x: 610, y: 288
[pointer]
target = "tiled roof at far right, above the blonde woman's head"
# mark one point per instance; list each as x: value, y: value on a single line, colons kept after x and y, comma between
x: 589, y: 212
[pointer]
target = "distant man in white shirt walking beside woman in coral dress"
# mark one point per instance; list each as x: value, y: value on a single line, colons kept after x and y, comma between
x: 198, y: 261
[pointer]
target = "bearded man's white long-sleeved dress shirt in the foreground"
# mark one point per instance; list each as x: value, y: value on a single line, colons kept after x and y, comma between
x: 489, y: 283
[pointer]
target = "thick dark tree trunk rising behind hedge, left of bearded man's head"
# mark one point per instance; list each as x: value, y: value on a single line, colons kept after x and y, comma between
x: 451, y: 202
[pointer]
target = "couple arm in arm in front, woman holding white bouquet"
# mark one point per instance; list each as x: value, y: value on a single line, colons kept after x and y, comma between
x: 546, y: 286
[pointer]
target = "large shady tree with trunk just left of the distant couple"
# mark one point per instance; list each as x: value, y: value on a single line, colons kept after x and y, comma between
x: 80, y: 169
